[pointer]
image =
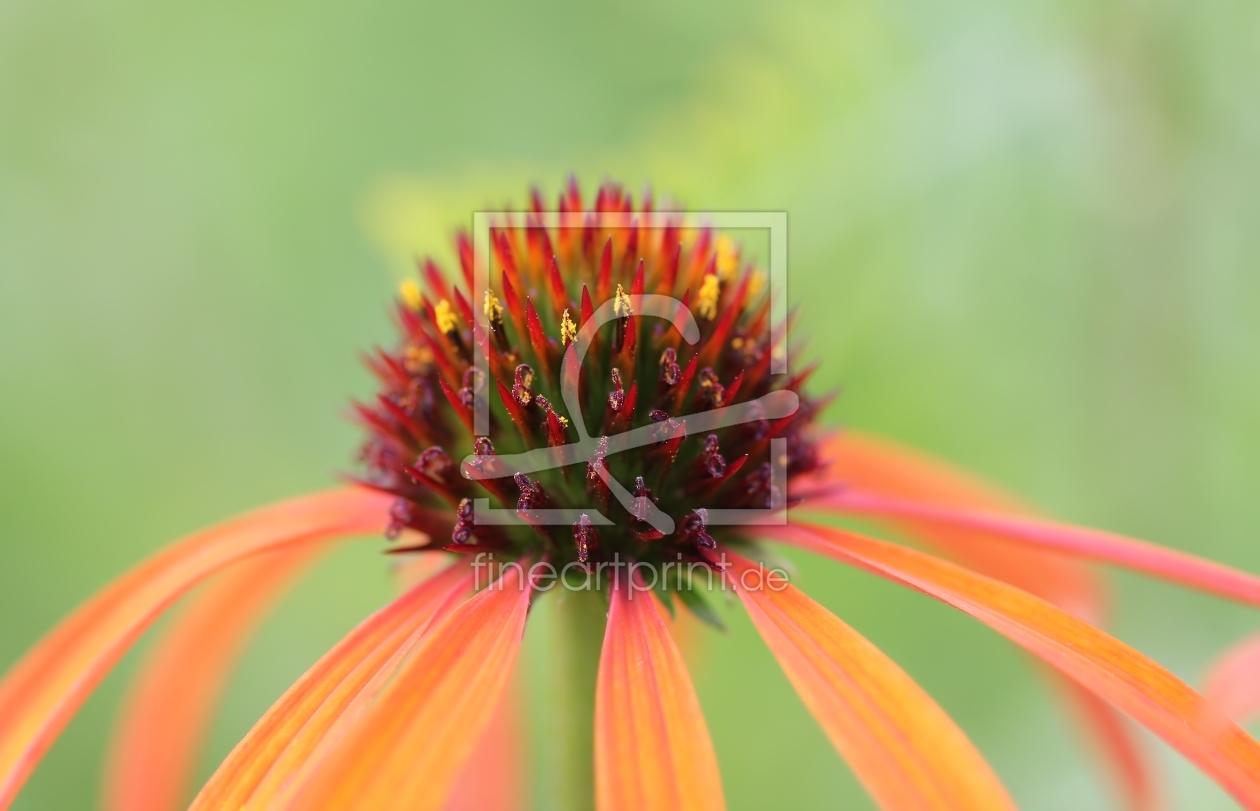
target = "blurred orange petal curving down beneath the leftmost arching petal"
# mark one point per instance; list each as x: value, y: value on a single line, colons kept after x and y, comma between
x: 172, y: 701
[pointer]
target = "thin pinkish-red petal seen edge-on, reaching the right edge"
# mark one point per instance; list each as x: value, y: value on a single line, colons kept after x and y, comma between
x: 1140, y: 556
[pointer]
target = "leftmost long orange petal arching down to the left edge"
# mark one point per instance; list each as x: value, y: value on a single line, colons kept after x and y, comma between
x: 45, y: 689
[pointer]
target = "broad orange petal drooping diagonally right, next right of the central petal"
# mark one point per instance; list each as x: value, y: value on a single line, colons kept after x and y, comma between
x: 902, y: 745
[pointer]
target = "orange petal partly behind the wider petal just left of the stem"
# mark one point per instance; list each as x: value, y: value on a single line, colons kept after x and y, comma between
x: 295, y: 725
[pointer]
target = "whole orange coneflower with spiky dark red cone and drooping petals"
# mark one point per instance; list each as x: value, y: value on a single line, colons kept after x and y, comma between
x: 568, y: 423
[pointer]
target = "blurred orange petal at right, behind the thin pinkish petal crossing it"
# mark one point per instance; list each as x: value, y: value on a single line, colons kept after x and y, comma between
x: 886, y: 470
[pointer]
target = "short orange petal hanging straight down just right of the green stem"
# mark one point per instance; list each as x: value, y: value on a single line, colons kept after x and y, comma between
x: 652, y: 746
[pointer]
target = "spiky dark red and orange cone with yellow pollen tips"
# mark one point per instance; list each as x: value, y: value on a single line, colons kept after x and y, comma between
x: 546, y: 285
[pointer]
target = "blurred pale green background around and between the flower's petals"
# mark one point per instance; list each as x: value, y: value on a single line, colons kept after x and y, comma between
x: 1025, y: 236
